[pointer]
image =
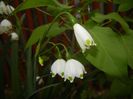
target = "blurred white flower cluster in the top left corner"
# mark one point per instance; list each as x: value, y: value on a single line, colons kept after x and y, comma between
x: 6, y: 9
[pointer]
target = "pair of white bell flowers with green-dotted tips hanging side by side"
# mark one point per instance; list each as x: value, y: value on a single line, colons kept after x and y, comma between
x: 68, y: 69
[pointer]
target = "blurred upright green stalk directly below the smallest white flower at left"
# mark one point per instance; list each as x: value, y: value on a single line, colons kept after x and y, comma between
x: 15, y: 81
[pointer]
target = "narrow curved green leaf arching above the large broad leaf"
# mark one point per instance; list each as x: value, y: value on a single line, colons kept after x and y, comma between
x: 99, y: 18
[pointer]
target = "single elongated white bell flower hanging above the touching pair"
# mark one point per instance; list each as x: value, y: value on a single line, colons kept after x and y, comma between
x: 83, y: 37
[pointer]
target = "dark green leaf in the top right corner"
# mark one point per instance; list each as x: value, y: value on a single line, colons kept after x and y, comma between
x: 126, y: 5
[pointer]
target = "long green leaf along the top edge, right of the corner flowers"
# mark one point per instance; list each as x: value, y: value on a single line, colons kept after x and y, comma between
x: 33, y: 4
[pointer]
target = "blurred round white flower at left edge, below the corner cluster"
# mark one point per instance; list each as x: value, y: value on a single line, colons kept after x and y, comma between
x: 5, y: 26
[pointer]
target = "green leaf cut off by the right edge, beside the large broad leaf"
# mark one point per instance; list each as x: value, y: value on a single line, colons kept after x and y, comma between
x: 128, y: 44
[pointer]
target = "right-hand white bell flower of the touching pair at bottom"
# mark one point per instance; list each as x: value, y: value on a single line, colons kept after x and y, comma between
x: 73, y: 69
